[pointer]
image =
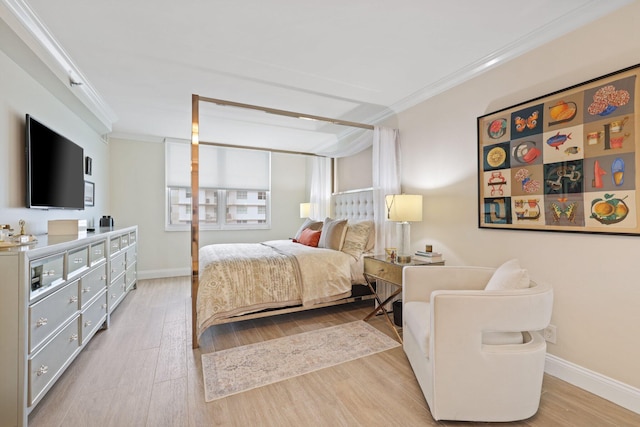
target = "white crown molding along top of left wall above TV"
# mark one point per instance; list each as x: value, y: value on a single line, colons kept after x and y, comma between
x: 31, y: 30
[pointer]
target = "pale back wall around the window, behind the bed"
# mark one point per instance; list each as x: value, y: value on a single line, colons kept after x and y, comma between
x: 138, y: 197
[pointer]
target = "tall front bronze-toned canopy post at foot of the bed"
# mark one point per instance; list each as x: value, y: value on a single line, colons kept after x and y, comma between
x: 195, y: 215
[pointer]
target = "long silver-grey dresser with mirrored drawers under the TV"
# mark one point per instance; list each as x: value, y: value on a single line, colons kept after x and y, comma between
x: 54, y: 296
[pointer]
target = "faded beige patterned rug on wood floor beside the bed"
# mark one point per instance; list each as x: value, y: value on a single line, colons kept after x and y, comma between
x: 239, y: 369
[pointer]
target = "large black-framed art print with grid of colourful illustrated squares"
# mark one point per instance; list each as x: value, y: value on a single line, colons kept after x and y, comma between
x: 566, y: 161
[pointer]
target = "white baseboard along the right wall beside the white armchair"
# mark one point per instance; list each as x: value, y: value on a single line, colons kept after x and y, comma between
x: 615, y: 391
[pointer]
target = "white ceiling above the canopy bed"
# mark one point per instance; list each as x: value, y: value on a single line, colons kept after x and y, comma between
x: 357, y: 60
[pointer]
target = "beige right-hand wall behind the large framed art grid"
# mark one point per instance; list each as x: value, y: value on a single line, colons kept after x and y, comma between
x: 595, y: 277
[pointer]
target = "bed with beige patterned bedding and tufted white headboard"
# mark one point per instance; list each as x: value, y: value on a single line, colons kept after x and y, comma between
x: 247, y: 281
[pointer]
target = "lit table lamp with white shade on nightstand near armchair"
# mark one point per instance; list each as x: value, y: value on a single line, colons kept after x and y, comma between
x: 403, y: 209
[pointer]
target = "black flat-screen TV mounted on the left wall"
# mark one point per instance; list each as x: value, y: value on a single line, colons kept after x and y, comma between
x: 55, y: 169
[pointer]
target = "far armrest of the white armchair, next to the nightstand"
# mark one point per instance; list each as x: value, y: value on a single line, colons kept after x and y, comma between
x: 418, y: 282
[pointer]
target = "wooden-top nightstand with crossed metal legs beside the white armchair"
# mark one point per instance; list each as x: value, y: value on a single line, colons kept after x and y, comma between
x: 380, y: 268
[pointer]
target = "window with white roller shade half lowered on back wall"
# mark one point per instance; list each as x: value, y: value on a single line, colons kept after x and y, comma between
x: 234, y: 187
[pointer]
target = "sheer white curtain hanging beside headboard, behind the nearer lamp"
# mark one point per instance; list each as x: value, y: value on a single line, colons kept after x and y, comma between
x: 386, y: 180
